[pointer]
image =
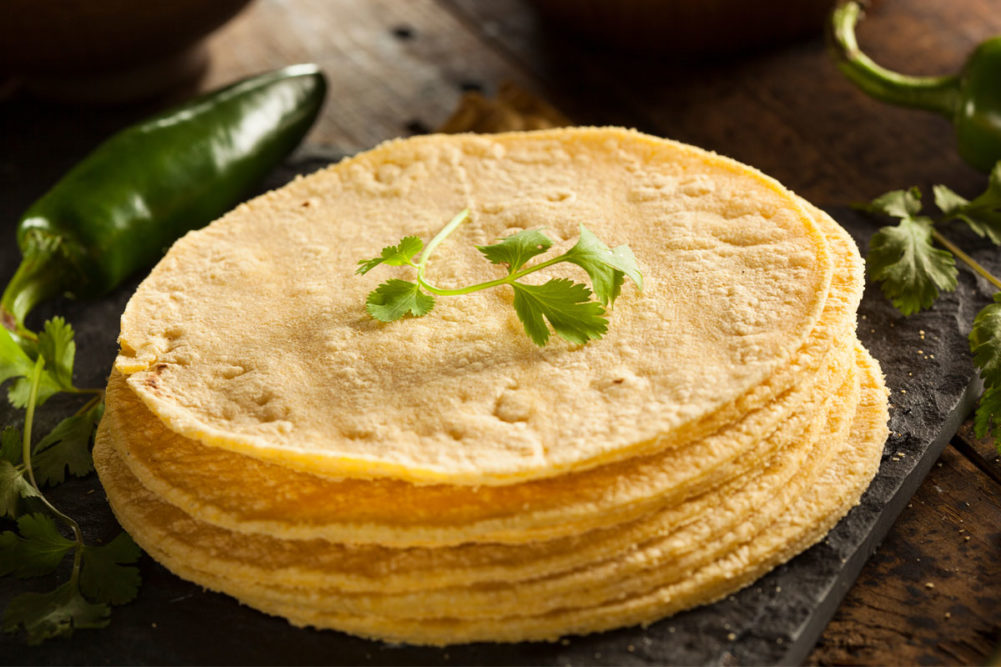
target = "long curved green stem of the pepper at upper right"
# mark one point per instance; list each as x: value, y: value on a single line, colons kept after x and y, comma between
x: 932, y: 94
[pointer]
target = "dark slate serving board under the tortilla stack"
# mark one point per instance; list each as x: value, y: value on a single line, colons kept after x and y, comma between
x: 776, y: 620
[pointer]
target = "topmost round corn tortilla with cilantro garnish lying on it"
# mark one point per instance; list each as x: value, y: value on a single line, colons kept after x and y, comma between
x: 252, y: 335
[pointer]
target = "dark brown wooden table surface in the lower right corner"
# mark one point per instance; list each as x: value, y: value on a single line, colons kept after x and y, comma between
x: 925, y: 597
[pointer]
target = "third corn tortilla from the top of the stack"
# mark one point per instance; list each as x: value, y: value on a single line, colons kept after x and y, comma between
x: 362, y: 568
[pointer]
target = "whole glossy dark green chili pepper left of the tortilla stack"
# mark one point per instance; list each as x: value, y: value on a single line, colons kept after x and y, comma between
x: 129, y: 201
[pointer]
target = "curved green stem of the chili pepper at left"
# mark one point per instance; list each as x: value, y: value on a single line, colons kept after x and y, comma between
x: 43, y: 275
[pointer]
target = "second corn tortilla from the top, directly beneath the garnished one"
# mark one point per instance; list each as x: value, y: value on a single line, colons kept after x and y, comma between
x: 226, y: 488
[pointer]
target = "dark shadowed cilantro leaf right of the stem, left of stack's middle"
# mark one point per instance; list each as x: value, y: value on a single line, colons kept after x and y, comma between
x: 68, y: 447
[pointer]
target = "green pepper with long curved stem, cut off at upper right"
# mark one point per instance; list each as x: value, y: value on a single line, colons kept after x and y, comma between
x: 971, y: 100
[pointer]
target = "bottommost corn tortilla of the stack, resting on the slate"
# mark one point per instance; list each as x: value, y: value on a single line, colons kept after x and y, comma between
x: 839, y: 486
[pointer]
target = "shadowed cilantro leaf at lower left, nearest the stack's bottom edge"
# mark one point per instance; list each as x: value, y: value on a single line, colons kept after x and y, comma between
x: 106, y: 577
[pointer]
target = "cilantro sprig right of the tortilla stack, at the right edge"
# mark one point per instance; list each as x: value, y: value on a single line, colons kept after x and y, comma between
x: 912, y: 272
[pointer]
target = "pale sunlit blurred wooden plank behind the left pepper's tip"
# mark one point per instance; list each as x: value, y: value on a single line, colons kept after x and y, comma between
x: 396, y: 69
